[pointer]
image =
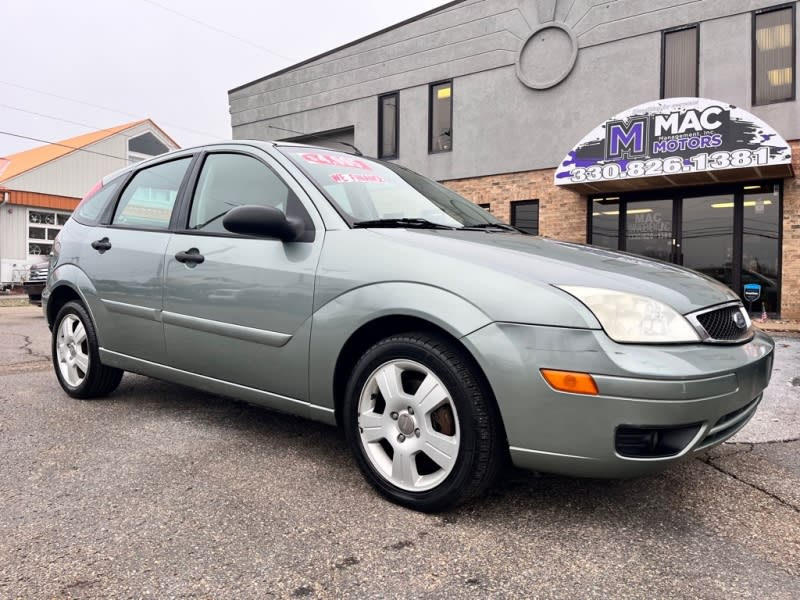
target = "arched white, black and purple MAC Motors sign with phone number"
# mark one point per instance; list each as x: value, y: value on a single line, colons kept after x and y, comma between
x: 672, y: 137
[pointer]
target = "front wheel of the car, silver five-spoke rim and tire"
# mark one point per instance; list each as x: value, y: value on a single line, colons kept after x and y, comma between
x: 422, y: 424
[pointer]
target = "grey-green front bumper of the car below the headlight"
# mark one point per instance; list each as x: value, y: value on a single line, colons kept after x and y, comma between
x: 709, y: 391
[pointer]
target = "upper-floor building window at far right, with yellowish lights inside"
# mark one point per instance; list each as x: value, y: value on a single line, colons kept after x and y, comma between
x: 773, y: 56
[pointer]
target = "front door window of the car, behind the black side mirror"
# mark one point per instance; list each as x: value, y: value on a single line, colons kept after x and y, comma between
x: 230, y: 180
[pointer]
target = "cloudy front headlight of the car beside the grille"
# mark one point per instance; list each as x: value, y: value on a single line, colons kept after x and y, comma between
x: 632, y: 318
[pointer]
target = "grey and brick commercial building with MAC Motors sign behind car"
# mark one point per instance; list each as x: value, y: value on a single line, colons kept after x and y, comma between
x: 669, y: 130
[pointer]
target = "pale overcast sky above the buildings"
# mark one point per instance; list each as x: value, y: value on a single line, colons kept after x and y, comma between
x: 134, y: 59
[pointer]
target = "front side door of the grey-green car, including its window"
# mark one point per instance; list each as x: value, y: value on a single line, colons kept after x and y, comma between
x: 239, y: 309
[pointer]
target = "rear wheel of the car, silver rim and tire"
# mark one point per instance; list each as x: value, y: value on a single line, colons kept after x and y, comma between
x: 76, y: 355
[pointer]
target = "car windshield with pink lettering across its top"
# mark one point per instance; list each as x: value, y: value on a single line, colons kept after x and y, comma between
x: 367, y: 190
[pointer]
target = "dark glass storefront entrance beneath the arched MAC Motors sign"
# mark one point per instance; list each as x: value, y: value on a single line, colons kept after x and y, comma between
x: 729, y: 232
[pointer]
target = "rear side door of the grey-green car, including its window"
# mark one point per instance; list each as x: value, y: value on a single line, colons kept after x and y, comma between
x: 124, y: 258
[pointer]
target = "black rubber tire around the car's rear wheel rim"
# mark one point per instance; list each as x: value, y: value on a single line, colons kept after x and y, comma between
x: 97, y: 380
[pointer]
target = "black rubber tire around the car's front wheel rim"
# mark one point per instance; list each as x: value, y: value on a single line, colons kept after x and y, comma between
x: 482, y: 448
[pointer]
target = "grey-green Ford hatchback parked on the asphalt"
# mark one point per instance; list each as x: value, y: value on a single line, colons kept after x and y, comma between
x: 355, y: 292
